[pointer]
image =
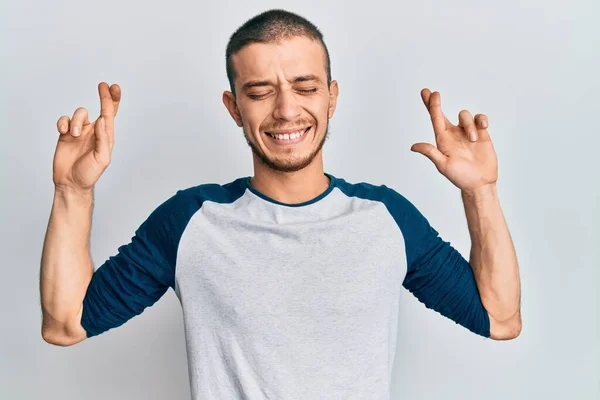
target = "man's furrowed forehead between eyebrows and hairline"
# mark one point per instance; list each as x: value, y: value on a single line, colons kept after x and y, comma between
x: 287, y: 58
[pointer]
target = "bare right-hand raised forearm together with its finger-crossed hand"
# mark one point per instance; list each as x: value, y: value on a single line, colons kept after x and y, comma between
x: 465, y: 155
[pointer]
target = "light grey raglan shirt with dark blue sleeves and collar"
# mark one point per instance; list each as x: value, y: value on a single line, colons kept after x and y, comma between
x: 286, y: 301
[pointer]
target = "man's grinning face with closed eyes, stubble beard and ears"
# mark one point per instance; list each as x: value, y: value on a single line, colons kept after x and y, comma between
x: 283, y: 103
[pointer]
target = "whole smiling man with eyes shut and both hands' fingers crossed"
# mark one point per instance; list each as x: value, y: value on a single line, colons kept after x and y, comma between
x: 288, y: 279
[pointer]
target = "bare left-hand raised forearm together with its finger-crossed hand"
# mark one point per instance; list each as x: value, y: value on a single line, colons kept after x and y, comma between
x: 82, y: 154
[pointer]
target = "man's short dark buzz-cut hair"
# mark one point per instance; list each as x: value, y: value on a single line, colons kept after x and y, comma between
x: 272, y: 26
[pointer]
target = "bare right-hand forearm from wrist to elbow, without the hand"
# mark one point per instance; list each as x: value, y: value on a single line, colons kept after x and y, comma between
x: 493, y: 257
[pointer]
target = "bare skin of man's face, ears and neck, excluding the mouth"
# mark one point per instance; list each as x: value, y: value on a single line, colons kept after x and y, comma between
x: 285, y: 99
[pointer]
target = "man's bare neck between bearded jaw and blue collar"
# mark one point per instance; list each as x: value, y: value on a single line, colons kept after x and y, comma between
x: 291, y: 187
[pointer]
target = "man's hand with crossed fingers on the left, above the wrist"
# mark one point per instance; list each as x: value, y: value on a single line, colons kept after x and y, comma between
x: 84, y: 148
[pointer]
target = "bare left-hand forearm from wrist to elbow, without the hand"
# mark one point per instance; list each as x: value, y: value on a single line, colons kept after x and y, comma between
x: 66, y: 265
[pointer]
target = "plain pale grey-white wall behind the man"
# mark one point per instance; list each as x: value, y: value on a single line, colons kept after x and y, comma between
x: 531, y: 66
